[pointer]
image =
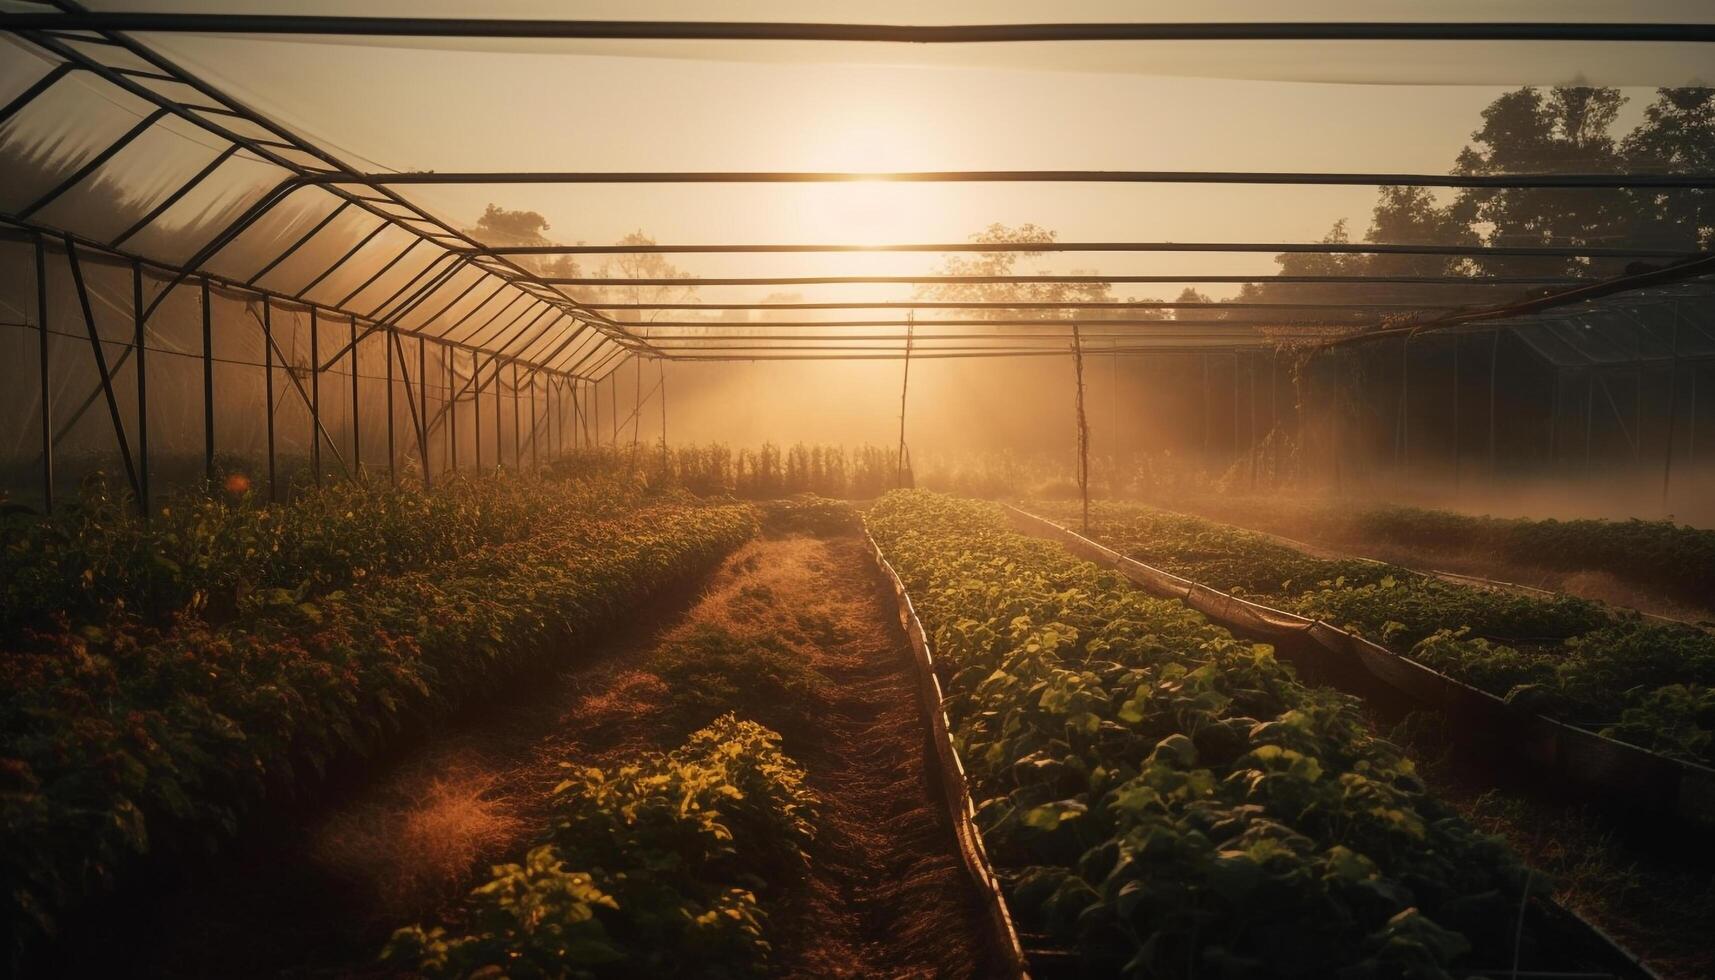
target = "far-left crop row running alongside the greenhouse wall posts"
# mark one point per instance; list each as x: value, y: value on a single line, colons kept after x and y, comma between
x: 95, y: 560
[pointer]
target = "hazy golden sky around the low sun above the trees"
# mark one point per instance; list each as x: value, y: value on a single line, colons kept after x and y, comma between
x: 502, y: 106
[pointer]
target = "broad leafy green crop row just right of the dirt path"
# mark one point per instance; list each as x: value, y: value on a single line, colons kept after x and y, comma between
x: 1172, y: 802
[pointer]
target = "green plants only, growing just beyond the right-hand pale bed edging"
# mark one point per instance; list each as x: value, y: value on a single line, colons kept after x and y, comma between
x: 1579, y: 662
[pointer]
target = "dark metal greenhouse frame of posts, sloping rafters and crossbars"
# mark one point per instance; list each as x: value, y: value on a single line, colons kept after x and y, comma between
x: 527, y: 341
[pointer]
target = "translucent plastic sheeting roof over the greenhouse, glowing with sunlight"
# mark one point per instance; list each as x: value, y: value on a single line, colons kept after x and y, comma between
x: 280, y: 162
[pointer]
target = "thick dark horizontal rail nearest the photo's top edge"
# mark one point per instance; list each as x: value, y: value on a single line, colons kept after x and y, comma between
x: 874, y: 33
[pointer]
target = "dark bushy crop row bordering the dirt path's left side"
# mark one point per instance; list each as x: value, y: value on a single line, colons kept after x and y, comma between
x: 124, y: 741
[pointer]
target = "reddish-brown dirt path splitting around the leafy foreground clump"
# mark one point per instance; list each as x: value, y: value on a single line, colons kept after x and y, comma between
x: 316, y: 895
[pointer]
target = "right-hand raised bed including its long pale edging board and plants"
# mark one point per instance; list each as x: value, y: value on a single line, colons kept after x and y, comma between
x: 1536, y: 698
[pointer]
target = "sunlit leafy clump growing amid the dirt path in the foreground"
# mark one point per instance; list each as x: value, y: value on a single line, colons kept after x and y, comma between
x: 656, y: 869
